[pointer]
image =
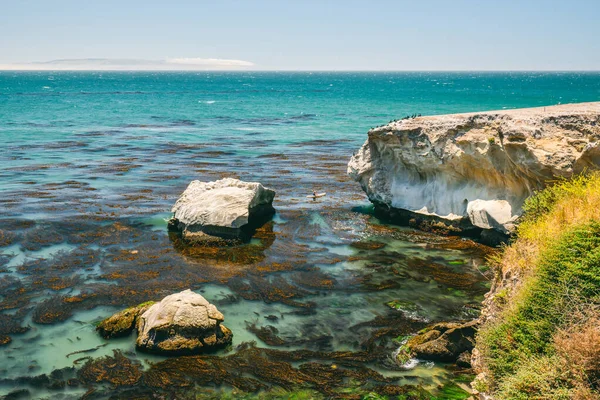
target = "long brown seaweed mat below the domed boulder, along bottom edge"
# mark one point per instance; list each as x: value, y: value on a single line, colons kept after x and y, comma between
x: 252, y: 369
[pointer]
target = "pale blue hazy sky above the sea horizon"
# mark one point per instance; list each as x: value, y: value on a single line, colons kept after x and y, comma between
x: 301, y: 34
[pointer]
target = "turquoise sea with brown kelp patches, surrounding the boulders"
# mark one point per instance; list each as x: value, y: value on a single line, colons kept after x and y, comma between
x: 91, y: 163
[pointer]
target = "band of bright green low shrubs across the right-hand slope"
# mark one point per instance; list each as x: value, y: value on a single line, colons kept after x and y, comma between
x: 571, y: 267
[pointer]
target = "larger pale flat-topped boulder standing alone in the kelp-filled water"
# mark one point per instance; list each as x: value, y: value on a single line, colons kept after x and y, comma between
x: 224, y: 209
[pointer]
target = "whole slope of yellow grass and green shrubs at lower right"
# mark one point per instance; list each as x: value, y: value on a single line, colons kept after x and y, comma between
x: 542, y: 329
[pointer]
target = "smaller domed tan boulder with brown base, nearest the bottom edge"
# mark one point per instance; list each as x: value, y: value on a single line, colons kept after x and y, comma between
x: 182, y: 323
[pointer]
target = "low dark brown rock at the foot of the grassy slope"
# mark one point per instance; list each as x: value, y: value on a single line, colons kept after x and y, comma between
x: 446, y: 342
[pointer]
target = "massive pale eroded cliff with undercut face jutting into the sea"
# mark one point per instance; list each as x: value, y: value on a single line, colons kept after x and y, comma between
x: 475, y: 170
